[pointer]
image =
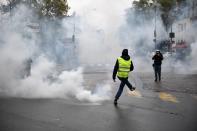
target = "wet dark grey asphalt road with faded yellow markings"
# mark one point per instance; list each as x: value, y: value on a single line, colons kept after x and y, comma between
x: 169, y: 105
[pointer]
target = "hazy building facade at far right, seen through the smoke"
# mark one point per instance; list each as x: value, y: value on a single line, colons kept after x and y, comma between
x: 185, y: 27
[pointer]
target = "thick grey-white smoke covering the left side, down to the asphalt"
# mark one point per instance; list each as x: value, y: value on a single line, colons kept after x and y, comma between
x: 19, y: 44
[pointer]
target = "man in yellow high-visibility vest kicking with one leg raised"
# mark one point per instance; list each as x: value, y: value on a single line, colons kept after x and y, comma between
x: 122, y: 68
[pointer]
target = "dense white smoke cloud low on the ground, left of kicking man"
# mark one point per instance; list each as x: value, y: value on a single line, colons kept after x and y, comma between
x: 67, y: 83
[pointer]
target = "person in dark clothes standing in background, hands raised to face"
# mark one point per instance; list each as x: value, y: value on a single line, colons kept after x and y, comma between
x: 158, y: 57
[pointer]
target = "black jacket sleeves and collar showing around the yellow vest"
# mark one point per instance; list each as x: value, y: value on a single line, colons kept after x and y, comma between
x: 125, y: 57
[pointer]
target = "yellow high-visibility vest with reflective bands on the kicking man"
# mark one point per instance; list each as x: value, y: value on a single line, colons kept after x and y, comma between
x: 124, y: 67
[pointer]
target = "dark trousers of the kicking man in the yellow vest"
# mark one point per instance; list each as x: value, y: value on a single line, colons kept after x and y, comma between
x: 122, y: 84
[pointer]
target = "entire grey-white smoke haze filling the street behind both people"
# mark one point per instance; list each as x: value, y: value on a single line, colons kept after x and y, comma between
x: 101, y: 35
